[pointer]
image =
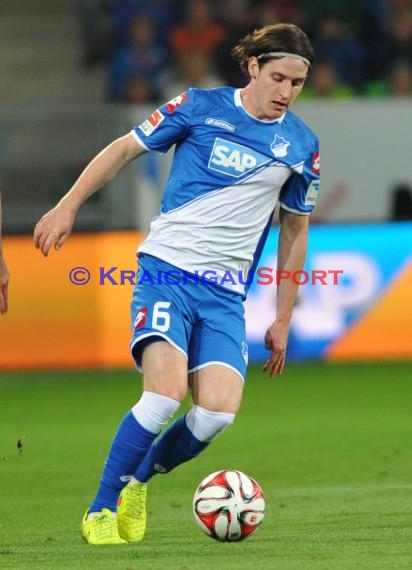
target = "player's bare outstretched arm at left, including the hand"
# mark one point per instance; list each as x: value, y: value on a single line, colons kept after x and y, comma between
x: 55, y: 226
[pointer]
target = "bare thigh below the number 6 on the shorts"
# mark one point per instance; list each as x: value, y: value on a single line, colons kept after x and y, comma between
x: 164, y: 370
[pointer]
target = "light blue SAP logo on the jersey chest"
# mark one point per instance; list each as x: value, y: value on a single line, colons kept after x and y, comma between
x: 234, y: 159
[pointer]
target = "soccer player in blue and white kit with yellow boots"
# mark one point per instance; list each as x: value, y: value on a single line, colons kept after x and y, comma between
x: 238, y: 152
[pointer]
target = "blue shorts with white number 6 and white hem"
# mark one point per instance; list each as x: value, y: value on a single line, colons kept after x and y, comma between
x: 202, y: 320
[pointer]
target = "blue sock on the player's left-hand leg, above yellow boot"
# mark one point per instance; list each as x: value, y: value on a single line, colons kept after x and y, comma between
x: 128, y: 448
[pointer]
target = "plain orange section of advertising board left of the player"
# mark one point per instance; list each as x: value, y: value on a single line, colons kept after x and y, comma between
x: 54, y: 323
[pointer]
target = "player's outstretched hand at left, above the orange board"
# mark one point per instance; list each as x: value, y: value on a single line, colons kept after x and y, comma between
x: 53, y: 229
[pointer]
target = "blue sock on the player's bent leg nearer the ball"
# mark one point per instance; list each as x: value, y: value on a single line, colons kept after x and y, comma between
x: 176, y: 445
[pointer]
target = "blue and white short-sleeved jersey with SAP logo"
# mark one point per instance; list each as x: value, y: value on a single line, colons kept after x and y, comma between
x: 229, y: 171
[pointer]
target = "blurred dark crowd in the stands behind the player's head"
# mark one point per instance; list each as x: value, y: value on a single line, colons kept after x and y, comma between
x: 154, y: 50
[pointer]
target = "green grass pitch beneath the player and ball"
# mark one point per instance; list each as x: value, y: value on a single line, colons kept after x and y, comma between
x: 331, y: 446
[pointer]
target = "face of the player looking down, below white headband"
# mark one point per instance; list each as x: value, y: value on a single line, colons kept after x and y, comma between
x: 275, y: 86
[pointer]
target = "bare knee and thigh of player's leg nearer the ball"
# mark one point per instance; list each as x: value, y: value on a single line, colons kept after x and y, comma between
x: 217, y: 388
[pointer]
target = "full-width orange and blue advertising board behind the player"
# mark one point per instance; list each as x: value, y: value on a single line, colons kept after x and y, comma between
x: 72, y: 310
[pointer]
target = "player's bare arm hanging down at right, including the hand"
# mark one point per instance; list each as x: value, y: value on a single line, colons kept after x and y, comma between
x: 293, y: 239
